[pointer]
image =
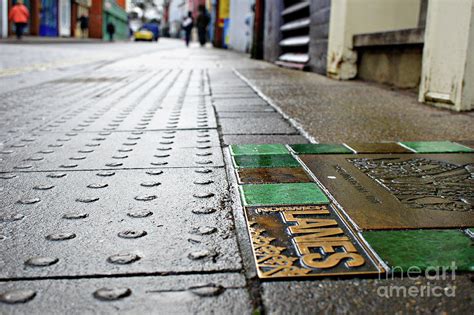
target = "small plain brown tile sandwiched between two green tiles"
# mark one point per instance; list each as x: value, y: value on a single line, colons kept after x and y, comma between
x: 272, y: 175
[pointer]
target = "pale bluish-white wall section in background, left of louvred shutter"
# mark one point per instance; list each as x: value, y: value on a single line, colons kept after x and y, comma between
x: 241, y: 25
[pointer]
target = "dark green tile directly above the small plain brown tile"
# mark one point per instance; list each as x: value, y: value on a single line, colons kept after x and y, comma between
x: 277, y: 160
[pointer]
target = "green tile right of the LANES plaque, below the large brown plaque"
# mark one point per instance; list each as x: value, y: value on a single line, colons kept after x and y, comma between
x: 423, y: 248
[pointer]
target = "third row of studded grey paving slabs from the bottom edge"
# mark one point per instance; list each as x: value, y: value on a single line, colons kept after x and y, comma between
x: 113, y: 150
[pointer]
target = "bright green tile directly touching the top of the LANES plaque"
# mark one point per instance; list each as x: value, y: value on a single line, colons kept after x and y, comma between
x: 282, y: 194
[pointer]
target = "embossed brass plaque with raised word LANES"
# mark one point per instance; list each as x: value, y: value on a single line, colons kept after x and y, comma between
x: 306, y: 241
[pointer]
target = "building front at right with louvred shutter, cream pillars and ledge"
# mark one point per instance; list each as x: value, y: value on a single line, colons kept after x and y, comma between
x: 416, y: 44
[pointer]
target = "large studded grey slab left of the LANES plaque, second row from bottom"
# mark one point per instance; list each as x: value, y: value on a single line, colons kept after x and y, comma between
x: 115, y: 222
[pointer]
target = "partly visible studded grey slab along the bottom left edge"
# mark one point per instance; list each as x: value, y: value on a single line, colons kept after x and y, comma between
x: 196, y: 294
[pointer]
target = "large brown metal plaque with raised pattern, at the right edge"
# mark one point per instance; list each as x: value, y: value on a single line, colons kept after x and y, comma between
x: 400, y: 190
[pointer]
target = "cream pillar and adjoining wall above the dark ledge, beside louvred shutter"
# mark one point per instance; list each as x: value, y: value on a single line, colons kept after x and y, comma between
x: 350, y: 17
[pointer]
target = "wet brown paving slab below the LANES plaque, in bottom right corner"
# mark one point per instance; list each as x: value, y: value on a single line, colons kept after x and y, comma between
x: 362, y: 296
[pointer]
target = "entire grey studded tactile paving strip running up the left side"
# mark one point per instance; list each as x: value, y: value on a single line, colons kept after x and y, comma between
x: 118, y: 174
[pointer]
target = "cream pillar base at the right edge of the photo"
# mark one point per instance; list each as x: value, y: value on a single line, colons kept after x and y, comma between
x: 448, y: 65
